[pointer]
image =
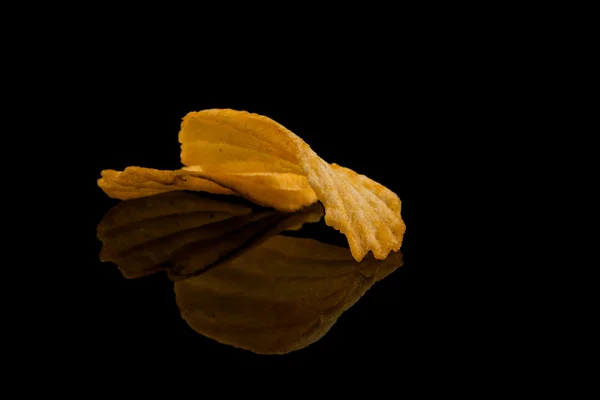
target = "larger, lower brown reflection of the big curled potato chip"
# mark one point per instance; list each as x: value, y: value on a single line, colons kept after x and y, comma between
x: 280, y: 296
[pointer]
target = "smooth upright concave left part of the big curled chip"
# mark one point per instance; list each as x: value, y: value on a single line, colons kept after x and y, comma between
x: 244, y: 156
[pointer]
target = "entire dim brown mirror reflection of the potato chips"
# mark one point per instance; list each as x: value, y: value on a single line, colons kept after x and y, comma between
x: 236, y: 280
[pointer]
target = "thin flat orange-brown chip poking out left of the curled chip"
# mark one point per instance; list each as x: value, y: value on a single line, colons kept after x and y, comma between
x: 136, y: 182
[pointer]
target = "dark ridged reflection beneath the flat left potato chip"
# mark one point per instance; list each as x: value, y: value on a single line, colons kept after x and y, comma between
x: 185, y: 234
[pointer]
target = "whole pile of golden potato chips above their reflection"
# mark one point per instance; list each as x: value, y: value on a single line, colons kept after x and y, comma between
x: 239, y: 153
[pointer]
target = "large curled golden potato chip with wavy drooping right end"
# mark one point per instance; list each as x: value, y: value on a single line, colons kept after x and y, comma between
x: 362, y: 209
